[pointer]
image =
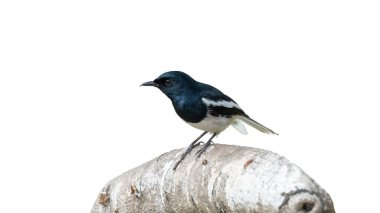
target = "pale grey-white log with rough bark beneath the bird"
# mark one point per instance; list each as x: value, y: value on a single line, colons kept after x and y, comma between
x: 224, y: 179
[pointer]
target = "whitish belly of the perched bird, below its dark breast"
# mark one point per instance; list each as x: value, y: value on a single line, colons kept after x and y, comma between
x: 212, y: 124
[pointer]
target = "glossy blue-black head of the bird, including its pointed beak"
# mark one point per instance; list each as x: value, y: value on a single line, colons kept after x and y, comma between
x: 172, y: 83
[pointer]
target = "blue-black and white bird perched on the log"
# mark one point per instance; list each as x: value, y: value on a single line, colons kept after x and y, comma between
x: 204, y: 107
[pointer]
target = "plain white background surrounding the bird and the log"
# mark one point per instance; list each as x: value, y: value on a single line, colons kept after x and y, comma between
x: 72, y: 114
